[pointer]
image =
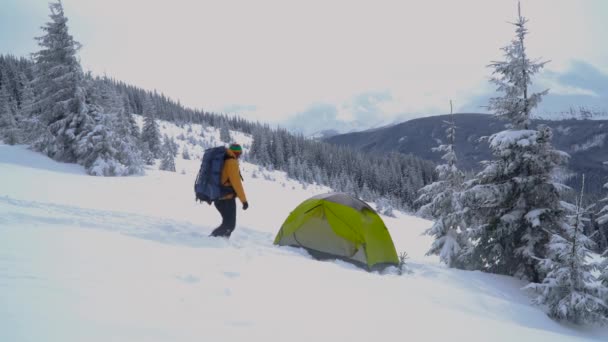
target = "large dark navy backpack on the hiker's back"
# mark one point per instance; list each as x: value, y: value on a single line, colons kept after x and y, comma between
x: 208, y: 185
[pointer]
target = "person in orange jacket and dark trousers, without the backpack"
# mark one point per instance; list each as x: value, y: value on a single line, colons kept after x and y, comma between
x: 226, y: 205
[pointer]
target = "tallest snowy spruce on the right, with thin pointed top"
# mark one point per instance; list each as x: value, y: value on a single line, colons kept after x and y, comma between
x: 514, y: 202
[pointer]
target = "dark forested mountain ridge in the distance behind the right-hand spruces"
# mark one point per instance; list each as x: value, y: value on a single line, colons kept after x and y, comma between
x: 585, y: 140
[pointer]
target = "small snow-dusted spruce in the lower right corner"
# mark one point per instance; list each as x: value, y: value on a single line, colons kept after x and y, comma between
x: 570, y: 290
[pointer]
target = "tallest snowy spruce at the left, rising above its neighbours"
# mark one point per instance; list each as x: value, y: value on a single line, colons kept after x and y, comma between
x: 60, y: 90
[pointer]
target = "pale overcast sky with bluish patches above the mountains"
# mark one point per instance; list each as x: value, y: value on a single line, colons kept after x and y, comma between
x: 346, y: 60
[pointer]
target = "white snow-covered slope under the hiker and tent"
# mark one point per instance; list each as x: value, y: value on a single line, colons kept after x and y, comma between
x: 129, y: 259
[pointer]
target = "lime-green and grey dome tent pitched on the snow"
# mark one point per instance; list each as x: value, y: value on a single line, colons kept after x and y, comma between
x: 336, y: 225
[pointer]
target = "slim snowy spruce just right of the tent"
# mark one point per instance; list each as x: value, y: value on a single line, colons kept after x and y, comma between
x: 442, y: 204
